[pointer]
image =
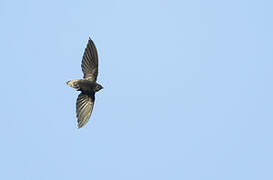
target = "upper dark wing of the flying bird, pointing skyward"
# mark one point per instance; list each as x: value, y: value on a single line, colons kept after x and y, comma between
x: 90, y: 62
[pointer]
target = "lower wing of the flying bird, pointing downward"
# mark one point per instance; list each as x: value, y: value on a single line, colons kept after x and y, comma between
x: 84, y: 107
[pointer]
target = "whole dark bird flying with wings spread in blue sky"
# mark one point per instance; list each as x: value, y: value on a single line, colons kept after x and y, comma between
x: 88, y: 85
